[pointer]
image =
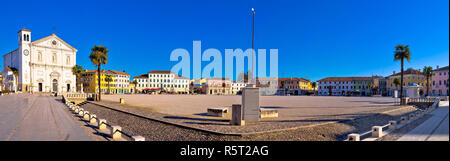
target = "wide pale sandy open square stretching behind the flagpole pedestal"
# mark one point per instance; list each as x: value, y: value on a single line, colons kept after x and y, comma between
x: 289, y: 107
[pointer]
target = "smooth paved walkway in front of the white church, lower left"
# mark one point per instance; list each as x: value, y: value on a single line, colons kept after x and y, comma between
x: 25, y: 117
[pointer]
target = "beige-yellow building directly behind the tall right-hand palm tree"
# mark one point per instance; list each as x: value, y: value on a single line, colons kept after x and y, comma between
x: 410, y: 76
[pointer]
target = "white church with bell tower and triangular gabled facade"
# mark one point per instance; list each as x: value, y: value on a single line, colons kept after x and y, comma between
x: 43, y: 65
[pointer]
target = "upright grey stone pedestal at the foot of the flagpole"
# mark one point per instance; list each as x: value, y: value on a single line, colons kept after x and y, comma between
x: 250, y: 104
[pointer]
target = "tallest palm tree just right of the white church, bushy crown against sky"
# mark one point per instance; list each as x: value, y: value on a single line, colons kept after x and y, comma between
x: 98, y: 57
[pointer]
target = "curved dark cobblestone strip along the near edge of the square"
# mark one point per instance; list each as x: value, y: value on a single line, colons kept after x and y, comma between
x: 155, y: 130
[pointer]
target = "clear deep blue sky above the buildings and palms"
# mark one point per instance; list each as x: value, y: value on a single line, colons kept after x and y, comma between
x: 315, y: 39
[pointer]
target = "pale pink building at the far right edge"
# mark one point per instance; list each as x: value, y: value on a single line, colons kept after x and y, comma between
x: 439, y: 82
